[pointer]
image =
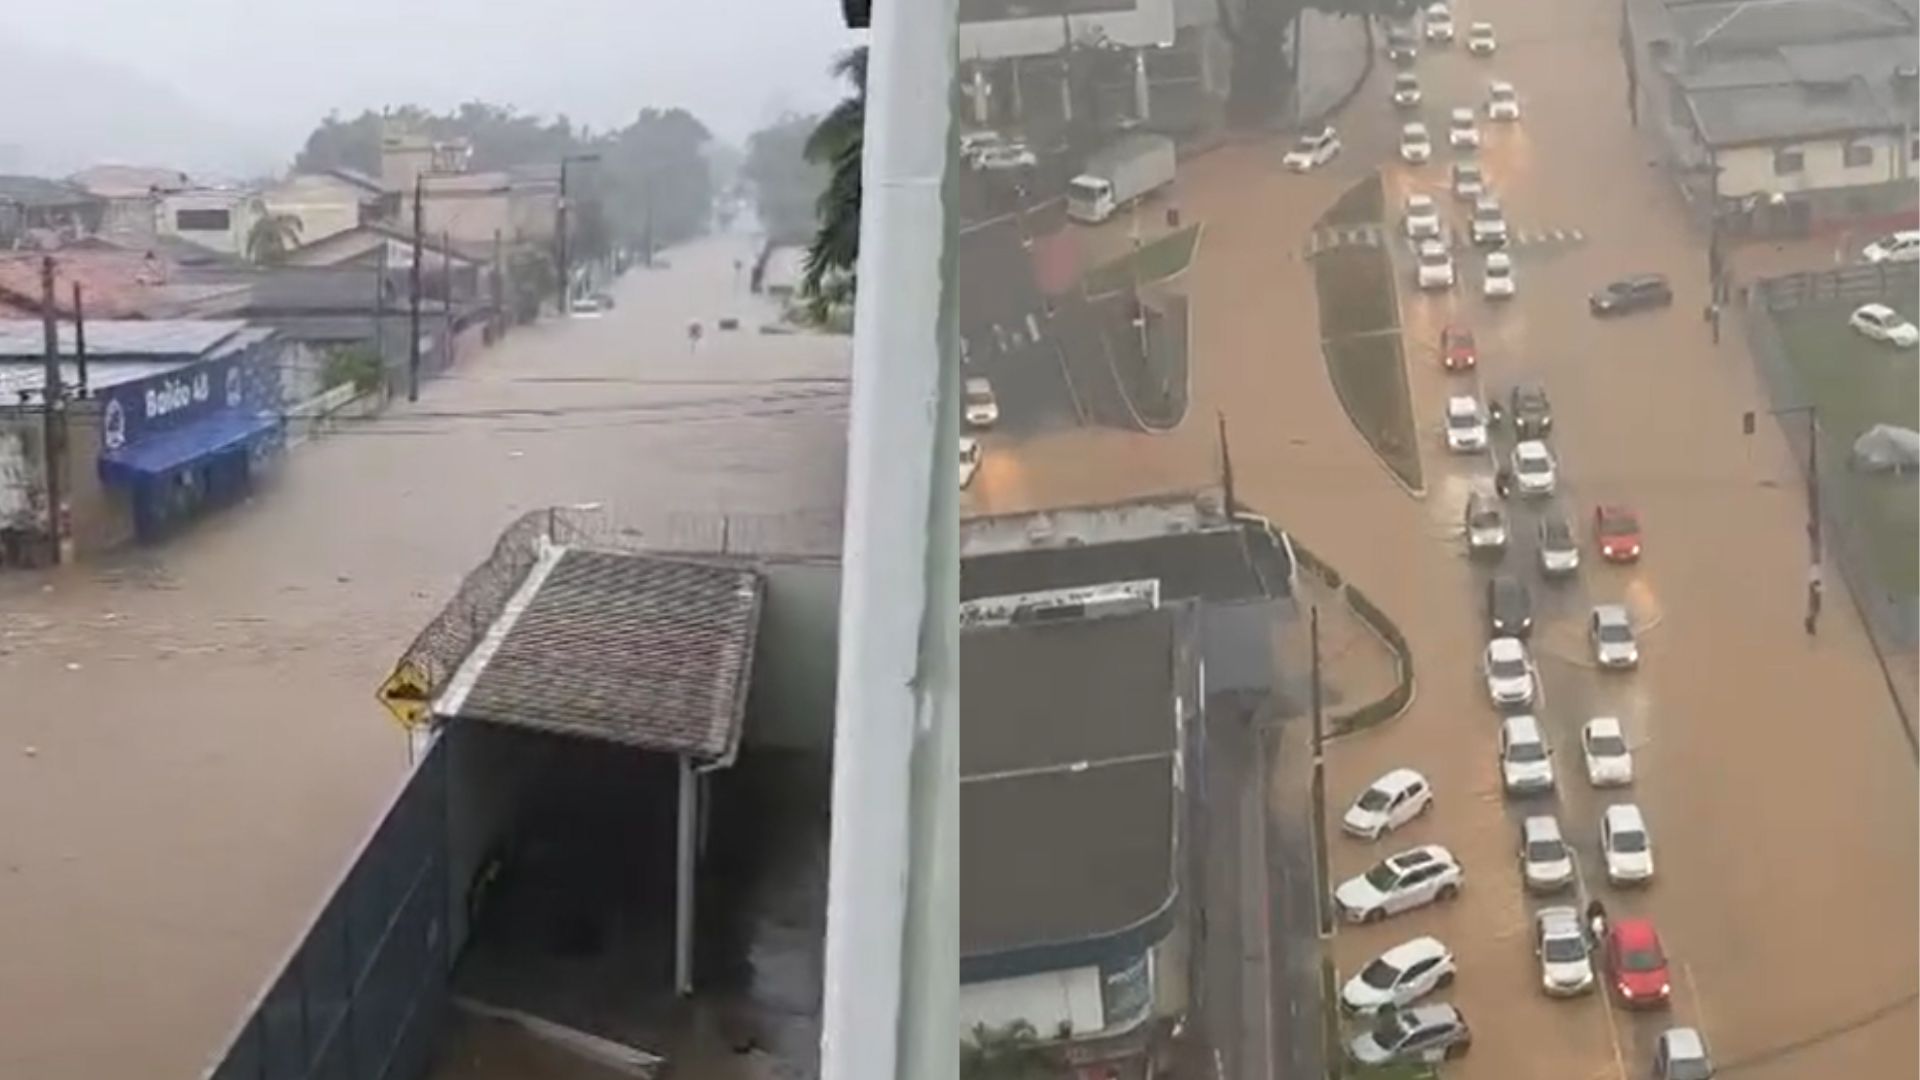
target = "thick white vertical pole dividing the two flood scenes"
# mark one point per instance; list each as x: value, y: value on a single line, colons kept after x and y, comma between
x: 892, y: 950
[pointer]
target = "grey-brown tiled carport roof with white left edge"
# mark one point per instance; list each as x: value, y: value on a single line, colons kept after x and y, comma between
x: 627, y: 649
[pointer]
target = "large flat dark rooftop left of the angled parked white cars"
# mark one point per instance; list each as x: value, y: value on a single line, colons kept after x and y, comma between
x: 1067, y: 762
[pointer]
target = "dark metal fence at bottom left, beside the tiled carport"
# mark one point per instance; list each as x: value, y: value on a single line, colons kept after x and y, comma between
x: 368, y: 991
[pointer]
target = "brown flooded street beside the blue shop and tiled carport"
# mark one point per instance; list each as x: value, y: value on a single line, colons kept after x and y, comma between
x: 189, y: 743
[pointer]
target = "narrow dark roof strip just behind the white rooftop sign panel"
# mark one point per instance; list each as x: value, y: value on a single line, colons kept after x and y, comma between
x: 1222, y: 564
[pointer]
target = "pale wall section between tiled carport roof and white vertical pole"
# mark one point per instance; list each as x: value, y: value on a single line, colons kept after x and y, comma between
x: 796, y: 658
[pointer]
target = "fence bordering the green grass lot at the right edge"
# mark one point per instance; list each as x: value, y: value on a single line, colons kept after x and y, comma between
x: 1892, y: 622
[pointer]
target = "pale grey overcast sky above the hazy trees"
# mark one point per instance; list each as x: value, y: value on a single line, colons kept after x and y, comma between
x: 264, y: 72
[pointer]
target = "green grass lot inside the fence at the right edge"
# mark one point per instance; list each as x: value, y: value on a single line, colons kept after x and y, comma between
x: 1856, y: 385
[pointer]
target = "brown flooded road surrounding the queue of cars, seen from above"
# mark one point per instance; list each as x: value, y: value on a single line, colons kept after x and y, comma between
x: 1771, y: 766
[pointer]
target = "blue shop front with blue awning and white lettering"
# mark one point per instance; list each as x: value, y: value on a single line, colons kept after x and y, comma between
x: 193, y: 439
